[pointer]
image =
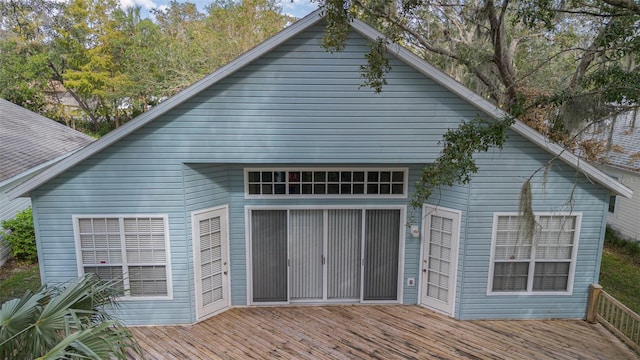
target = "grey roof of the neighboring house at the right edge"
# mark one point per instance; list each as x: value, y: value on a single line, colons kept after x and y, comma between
x: 620, y: 136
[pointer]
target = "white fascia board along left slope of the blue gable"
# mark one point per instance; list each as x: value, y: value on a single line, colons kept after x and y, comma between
x: 172, y: 102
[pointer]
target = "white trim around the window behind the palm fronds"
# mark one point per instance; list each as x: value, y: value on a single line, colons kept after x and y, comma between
x: 80, y: 264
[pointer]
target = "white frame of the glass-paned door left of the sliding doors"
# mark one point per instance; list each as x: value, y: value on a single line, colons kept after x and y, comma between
x: 203, y: 312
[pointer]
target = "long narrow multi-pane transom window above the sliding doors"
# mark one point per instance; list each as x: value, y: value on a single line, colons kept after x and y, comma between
x: 326, y: 182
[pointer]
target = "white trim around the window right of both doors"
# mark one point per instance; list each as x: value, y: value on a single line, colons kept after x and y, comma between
x: 572, y: 265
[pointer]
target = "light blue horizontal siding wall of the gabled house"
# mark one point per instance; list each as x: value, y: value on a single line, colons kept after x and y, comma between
x: 301, y: 106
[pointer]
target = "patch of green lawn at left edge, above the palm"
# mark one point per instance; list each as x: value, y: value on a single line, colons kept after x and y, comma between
x: 16, y: 278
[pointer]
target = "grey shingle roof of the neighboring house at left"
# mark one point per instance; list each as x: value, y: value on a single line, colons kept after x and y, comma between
x: 29, y: 140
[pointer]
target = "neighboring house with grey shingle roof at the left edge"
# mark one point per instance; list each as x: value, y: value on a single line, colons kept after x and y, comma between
x: 29, y: 143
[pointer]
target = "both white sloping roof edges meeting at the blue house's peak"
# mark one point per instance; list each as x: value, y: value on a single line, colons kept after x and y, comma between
x: 312, y: 19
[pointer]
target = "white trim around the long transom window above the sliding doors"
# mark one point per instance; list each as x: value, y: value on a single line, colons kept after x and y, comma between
x: 405, y: 170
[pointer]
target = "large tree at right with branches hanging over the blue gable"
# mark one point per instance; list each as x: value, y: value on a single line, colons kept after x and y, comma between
x: 506, y: 51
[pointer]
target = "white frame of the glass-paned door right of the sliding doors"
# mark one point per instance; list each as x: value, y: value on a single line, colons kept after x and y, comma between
x: 448, y: 307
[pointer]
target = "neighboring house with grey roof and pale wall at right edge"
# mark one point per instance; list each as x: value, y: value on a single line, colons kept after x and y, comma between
x: 620, y: 158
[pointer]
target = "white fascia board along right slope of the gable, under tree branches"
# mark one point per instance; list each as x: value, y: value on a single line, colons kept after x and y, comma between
x: 591, y: 172
